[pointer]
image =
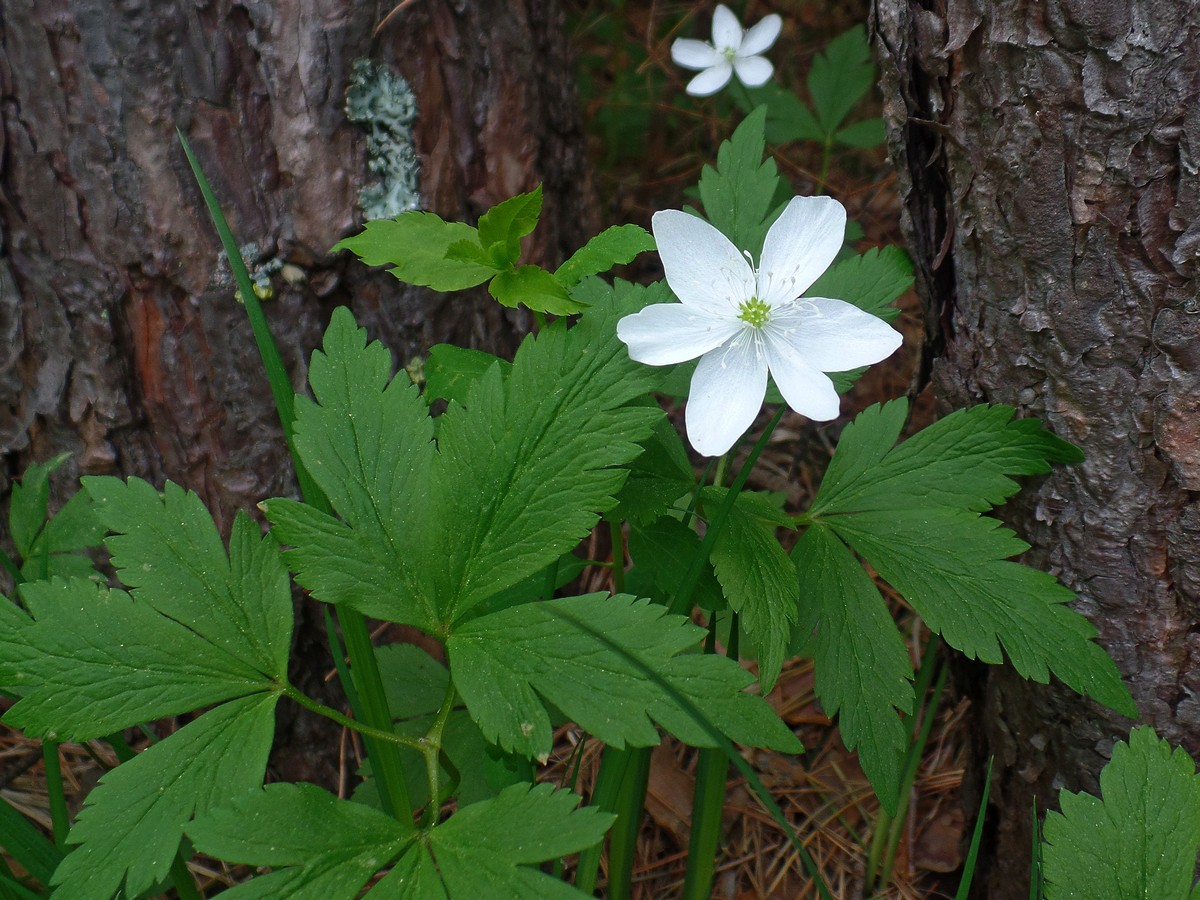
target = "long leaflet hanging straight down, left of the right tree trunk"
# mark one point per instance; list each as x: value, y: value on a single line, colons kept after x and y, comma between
x: 862, y: 667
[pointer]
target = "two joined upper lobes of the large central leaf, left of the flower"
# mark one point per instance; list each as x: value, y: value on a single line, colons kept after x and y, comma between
x: 520, y: 473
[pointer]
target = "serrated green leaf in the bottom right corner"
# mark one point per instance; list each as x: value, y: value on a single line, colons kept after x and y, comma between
x: 1141, y: 841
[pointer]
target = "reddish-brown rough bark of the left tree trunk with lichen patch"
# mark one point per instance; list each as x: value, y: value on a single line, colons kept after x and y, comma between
x: 118, y: 340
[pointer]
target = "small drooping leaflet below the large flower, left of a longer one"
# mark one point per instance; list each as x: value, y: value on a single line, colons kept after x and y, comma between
x: 759, y: 580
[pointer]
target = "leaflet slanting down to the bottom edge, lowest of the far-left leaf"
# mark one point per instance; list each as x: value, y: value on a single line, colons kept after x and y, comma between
x: 133, y: 824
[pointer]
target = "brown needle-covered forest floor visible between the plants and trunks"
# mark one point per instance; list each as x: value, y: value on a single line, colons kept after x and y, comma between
x: 650, y: 141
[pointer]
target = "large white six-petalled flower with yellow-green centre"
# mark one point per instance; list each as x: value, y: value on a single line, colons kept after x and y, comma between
x: 743, y: 322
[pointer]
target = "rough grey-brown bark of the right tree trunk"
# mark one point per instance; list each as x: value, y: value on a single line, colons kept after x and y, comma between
x: 1048, y: 157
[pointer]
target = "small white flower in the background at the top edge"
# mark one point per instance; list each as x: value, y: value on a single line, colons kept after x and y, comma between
x: 731, y: 51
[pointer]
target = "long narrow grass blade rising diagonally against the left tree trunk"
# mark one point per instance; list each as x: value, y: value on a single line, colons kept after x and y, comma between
x: 367, y: 683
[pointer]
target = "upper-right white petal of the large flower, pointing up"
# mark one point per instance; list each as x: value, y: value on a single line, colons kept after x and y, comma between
x: 800, y: 248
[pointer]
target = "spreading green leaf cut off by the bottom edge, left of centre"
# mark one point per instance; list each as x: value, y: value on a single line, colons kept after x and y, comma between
x: 326, y: 849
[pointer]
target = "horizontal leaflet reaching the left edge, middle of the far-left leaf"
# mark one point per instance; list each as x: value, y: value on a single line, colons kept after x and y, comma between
x: 93, y: 662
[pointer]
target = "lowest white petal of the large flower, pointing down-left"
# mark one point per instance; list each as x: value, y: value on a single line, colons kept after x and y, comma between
x: 727, y: 394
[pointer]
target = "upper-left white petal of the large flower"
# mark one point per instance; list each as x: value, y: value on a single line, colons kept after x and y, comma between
x: 705, y: 271
